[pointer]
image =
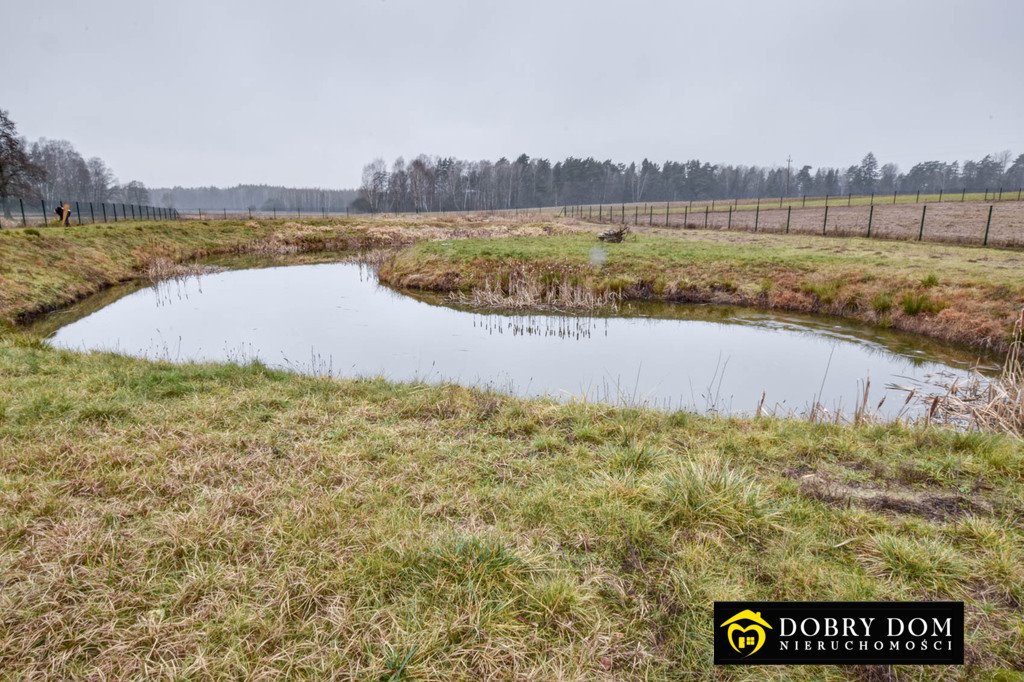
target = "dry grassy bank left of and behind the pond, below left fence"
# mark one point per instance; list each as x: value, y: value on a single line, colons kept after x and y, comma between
x: 50, y: 268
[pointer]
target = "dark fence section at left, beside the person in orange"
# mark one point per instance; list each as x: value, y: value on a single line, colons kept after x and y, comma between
x: 38, y: 214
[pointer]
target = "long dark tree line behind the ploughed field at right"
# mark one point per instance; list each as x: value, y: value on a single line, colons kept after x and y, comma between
x: 447, y: 184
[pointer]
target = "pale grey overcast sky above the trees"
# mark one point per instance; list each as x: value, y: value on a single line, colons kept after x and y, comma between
x: 306, y: 93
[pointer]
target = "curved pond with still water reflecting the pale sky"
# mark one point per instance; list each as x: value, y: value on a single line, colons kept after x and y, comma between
x: 335, y: 320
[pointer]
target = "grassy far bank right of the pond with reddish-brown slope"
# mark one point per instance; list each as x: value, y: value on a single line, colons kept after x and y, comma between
x: 955, y: 293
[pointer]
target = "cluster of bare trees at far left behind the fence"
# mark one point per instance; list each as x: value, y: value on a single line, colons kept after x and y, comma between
x: 53, y: 170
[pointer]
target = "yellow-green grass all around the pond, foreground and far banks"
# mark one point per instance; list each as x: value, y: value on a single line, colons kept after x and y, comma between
x: 184, y: 522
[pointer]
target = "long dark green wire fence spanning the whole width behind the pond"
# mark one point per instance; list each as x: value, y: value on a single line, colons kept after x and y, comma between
x: 988, y: 219
